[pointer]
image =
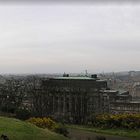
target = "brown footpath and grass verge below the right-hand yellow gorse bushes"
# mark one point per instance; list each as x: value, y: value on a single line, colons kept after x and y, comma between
x: 86, y: 133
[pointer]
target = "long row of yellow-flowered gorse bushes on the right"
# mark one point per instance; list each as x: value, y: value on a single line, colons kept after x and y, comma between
x: 127, y: 121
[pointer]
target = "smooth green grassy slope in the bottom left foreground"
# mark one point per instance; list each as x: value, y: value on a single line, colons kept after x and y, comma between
x: 20, y: 130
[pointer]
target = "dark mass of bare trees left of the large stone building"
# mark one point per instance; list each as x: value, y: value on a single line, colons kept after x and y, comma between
x: 19, y: 93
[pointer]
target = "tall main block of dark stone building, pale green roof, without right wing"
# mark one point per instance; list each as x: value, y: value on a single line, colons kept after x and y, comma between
x: 75, y: 98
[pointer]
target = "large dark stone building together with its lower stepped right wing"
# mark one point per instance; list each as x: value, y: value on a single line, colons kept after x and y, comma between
x: 75, y: 99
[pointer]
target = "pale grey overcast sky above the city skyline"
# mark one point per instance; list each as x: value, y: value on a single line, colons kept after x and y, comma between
x: 50, y: 38
